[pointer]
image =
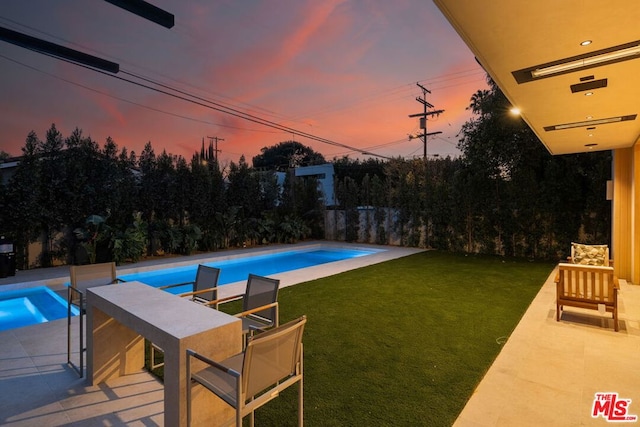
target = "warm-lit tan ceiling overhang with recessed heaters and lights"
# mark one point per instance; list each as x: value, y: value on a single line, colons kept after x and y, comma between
x: 571, y: 67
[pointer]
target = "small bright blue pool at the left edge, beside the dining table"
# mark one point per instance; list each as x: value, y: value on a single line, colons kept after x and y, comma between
x: 23, y: 307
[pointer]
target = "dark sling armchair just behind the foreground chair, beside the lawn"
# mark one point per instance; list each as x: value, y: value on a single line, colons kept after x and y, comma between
x: 259, y: 304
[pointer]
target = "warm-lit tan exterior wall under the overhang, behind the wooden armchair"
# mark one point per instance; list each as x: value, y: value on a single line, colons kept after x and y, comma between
x: 626, y: 223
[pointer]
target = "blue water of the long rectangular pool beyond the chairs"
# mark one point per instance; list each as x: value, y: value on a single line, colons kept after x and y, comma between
x: 236, y: 270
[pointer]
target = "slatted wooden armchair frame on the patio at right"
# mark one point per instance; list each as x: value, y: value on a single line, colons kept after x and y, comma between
x: 587, y: 286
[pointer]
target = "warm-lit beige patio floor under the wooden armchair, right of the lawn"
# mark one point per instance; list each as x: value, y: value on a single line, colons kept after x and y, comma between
x: 548, y: 372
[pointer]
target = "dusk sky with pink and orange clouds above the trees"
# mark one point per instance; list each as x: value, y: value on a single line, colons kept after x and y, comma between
x: 344, y: 71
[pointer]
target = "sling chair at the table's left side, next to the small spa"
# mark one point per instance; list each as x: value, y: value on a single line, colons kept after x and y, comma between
x: 83, y: 277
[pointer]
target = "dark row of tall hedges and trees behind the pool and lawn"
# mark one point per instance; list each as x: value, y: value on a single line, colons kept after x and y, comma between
x: 504, y: 195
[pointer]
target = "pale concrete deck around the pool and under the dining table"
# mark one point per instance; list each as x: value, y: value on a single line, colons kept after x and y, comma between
x: 37, y: 387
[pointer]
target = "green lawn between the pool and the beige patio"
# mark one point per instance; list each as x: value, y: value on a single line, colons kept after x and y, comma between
x: 405, y: 342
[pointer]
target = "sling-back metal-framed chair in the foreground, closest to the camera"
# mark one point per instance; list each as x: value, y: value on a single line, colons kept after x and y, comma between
x: 271, y: 362
